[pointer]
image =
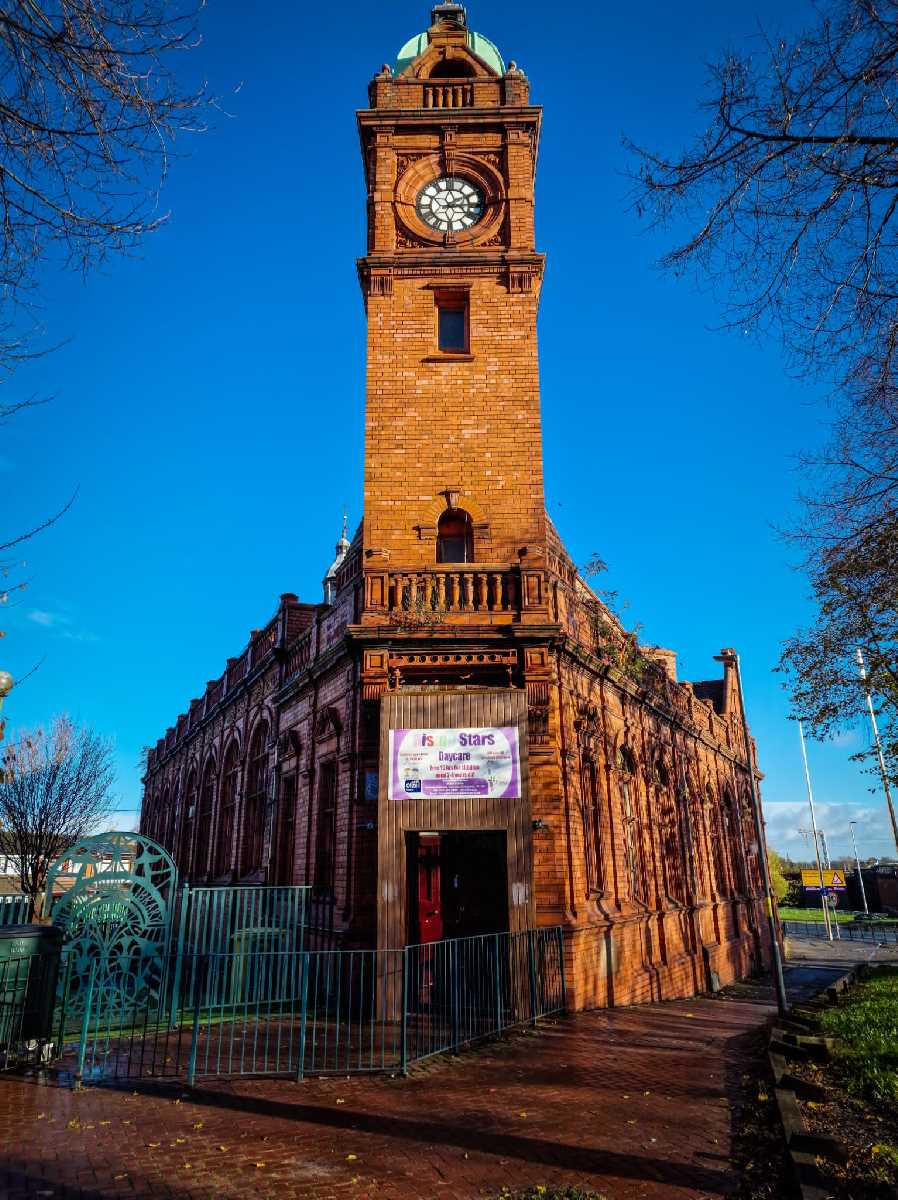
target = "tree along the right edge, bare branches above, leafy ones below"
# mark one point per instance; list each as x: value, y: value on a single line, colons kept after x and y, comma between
x: 792, y: 193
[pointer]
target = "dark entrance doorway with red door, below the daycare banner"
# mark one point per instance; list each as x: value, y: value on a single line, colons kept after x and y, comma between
x: 458, y: 885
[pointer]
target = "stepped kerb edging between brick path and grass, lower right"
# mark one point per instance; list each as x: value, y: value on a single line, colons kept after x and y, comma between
x: 791, y: 1040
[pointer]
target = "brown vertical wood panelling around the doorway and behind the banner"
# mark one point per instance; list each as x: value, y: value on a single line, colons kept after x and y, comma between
x: 424, y: 710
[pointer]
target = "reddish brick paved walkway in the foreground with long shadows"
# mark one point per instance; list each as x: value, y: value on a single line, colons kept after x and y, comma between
x: 636, y: 1103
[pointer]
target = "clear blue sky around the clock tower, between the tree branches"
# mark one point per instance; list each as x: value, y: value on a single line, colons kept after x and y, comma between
x: 209, y: 399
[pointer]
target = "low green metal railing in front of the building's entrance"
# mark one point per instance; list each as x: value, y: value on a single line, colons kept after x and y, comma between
x: 295, y: 1013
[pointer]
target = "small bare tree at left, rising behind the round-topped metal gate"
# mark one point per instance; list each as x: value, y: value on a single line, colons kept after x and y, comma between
x: 56, y: 787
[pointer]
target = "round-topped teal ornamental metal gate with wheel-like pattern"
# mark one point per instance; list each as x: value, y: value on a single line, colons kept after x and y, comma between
x: 116, y: 914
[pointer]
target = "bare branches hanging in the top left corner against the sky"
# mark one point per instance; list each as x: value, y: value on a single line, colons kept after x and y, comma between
x: 89, y: 113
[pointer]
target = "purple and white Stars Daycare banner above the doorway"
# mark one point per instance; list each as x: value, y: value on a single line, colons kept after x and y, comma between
x: 458, y: 764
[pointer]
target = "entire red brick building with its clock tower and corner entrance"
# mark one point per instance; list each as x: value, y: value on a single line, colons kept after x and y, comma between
x: 571, y: 778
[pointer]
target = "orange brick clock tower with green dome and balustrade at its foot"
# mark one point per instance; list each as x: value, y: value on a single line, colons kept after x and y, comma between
x: 452, y: 281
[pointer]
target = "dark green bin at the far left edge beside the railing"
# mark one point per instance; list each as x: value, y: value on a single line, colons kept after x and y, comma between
x: 29, y: 973
